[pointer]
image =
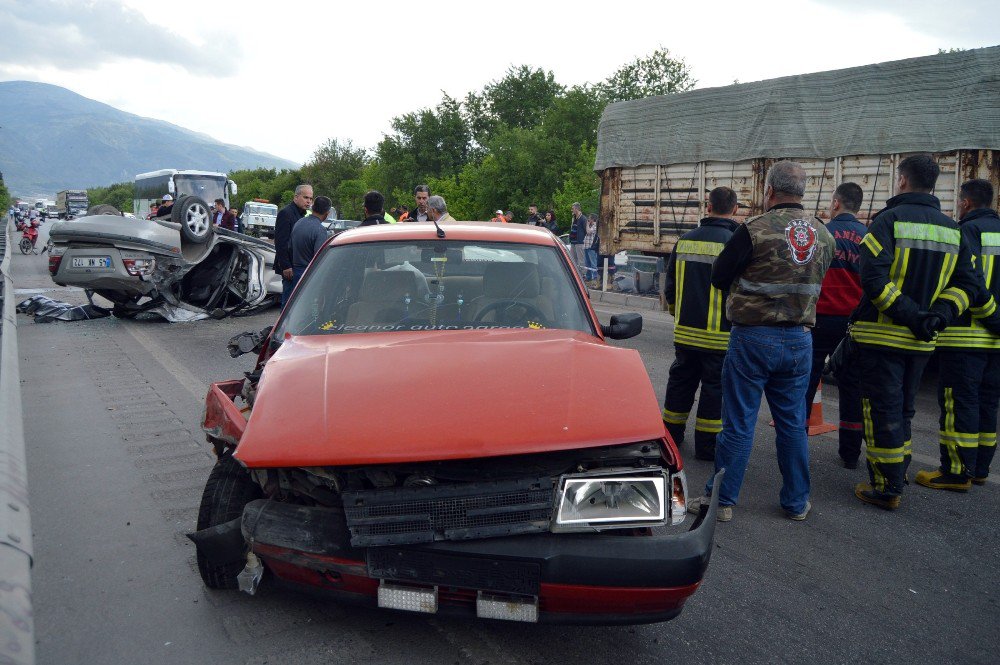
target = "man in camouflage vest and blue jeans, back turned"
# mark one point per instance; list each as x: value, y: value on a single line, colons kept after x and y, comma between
x: 773, y: 267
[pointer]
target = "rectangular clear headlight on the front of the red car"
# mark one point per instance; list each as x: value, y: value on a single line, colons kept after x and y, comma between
x: 611, y: 501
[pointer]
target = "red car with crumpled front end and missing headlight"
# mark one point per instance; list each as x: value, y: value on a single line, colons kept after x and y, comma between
x: 436, y: 424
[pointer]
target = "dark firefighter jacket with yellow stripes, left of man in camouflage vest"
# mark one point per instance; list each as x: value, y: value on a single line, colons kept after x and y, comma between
x: 697, y: 306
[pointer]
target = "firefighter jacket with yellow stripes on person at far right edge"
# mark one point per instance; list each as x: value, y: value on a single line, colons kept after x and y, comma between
x: 980, y: 230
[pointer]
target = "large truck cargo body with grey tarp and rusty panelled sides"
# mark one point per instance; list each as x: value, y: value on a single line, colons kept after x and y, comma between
x: 658, y: 158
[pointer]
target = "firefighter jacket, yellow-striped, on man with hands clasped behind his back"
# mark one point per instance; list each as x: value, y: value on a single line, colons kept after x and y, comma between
x: 912, y: 261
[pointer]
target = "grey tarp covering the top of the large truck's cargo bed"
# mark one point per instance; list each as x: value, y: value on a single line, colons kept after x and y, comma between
x: 933, y: 104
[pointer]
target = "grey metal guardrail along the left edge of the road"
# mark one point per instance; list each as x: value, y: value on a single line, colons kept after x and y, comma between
x: 17, y: 627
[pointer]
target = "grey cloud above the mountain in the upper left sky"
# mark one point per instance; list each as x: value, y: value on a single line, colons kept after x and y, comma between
x: 79, y: 36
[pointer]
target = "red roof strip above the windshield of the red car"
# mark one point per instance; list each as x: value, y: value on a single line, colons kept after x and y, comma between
x: 475, y: 231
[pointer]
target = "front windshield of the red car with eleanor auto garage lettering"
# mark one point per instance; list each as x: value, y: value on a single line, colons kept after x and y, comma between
x: 435, y: 285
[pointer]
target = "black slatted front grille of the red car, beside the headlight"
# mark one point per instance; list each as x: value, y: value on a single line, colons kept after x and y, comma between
x: 407, y: 515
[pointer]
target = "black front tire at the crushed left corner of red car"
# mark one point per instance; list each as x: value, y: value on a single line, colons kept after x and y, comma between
x: 228, y: 490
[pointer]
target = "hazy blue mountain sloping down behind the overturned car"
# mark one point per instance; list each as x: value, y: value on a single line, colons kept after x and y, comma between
x: 53, y: 139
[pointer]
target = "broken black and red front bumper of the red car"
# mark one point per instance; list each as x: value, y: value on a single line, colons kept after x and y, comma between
x: 575, y: 578
